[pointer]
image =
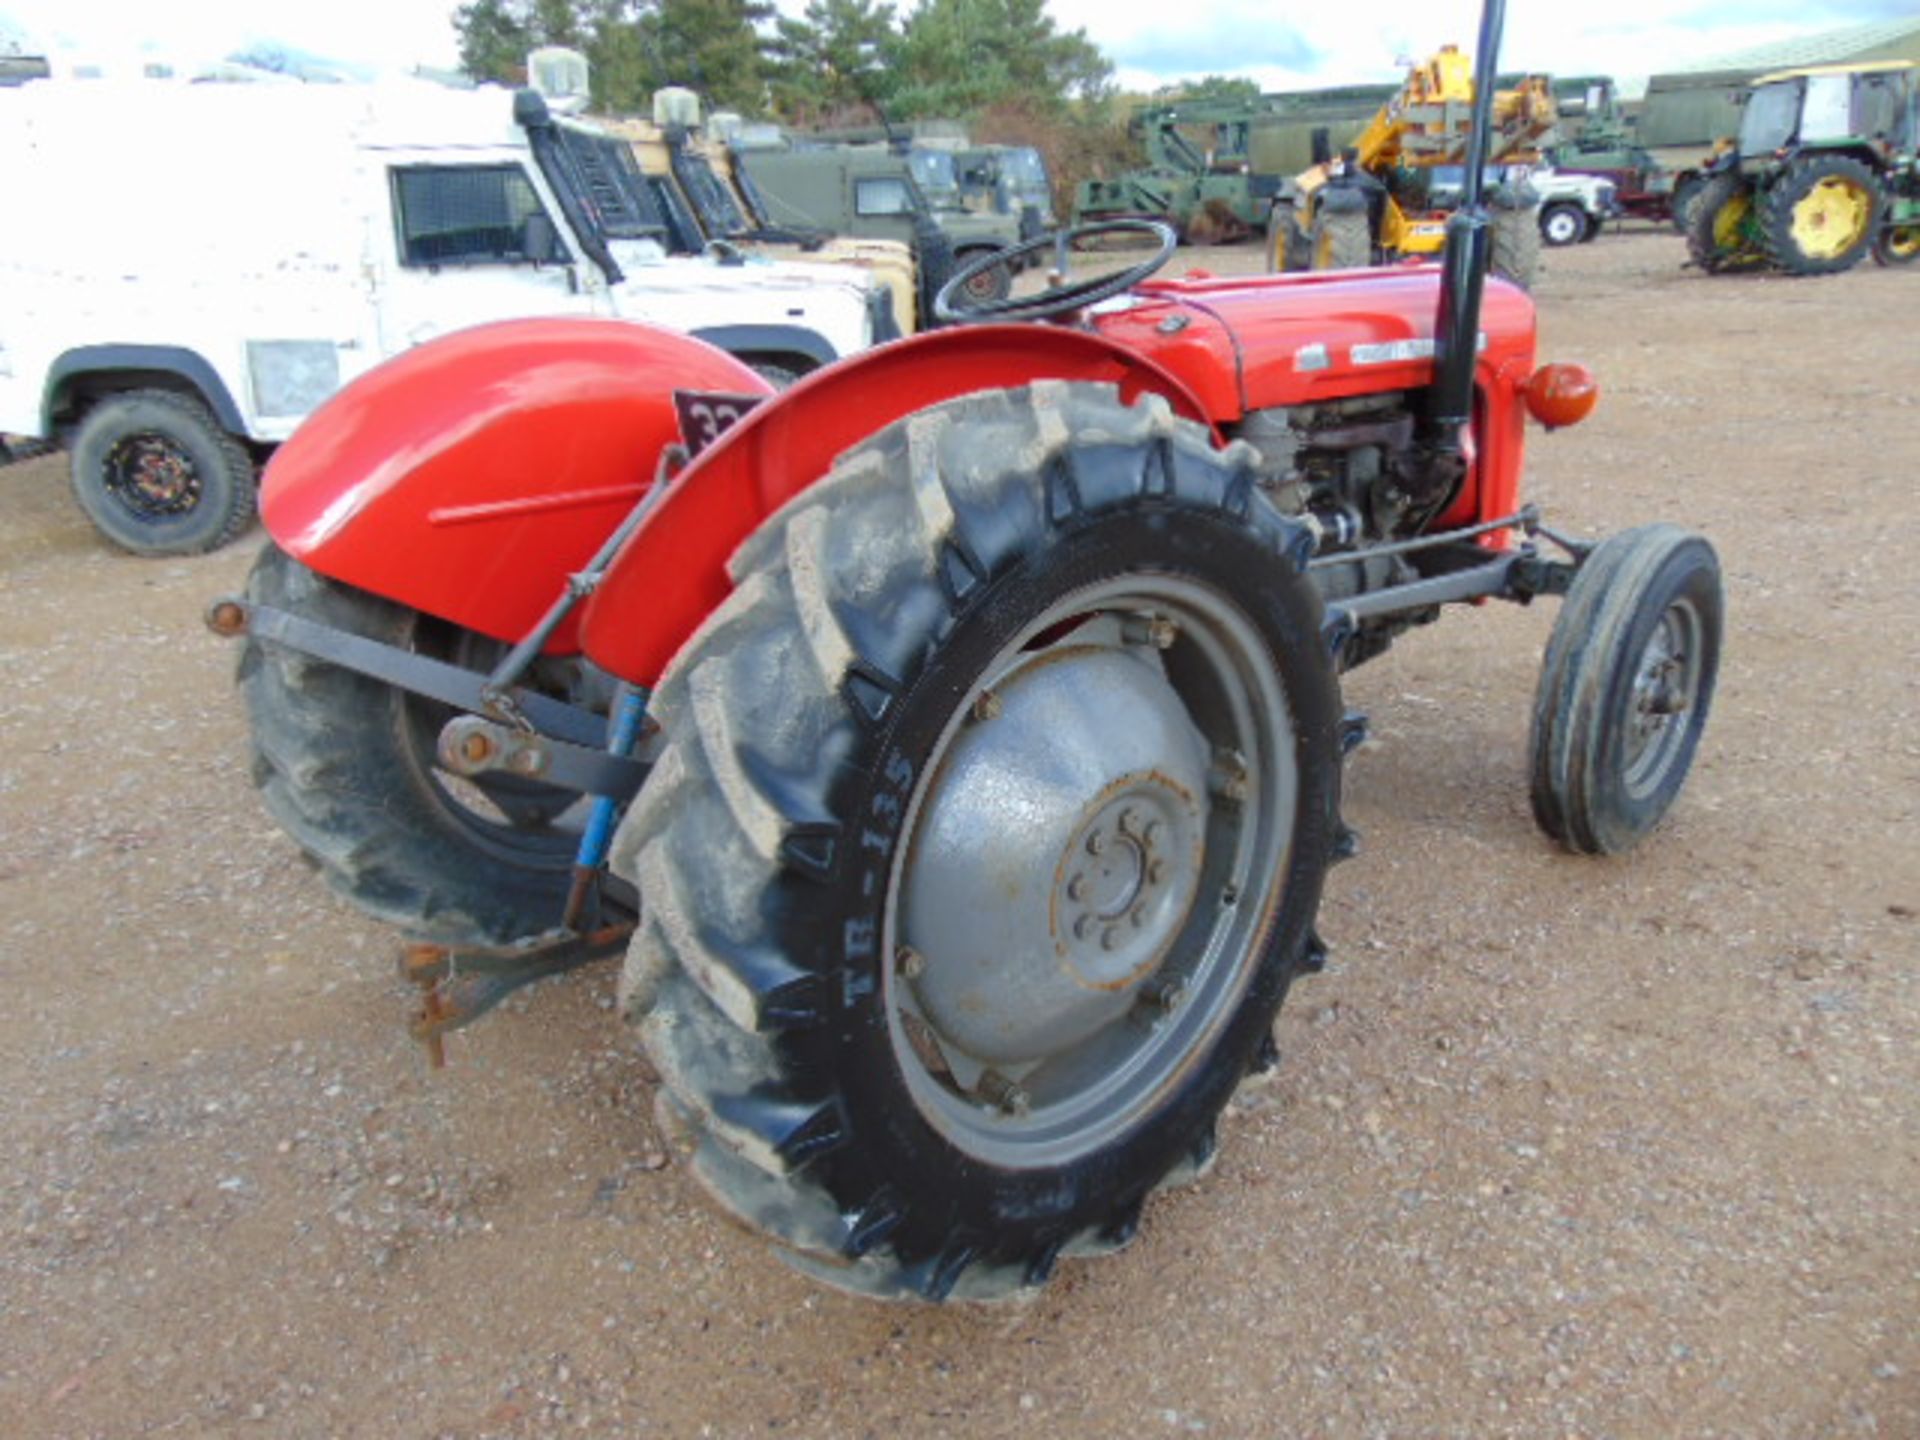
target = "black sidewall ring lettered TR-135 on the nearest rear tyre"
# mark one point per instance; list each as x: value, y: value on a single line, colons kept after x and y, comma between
x: 951, y: 1195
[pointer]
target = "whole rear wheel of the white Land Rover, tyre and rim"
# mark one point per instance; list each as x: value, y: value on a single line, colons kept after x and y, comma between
x: 158, y: 477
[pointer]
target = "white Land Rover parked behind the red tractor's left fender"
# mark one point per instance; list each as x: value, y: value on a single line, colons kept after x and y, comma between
x: 204, y: 266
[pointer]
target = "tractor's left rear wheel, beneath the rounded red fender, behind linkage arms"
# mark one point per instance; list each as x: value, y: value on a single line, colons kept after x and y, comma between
x: 348, y: 767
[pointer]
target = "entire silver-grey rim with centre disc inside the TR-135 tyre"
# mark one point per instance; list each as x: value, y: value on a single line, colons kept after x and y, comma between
x: 1080, y: 907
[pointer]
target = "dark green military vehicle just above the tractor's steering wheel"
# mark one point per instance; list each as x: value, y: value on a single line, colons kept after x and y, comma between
x: 878, y: 193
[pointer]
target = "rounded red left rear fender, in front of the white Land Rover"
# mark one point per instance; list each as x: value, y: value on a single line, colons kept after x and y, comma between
x: 473, y: 473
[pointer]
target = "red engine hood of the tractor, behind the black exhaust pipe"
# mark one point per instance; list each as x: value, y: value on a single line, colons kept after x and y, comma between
x: 1247, y: 345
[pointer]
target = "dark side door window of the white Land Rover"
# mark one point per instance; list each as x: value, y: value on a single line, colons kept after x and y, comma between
x: 471, y: 216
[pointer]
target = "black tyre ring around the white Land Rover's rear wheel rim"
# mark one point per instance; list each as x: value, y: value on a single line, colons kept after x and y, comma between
x: 201, y: 529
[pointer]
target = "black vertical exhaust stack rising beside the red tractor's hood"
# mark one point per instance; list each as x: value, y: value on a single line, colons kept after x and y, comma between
x: 1464, y: 272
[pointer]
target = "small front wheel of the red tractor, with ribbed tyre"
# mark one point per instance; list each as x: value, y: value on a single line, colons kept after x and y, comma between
x: 1625, y: 688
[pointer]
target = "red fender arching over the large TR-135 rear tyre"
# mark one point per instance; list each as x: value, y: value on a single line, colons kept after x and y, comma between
x: 671, y: 573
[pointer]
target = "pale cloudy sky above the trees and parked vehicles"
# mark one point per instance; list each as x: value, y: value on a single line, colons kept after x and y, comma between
x: 1151, y: 41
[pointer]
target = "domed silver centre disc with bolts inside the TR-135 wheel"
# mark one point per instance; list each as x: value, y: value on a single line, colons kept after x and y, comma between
x: 1059, y: 857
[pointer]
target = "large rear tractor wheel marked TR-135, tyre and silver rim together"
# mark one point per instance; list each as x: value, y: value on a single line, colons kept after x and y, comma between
x: 986, y: 842
